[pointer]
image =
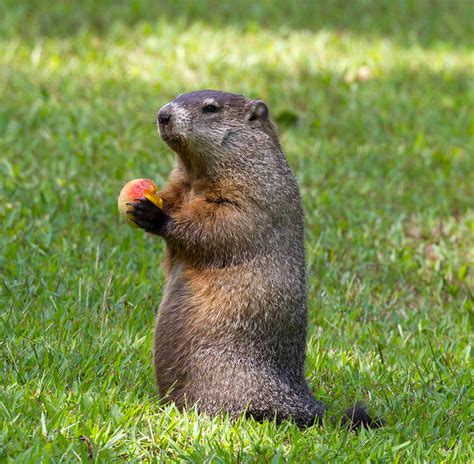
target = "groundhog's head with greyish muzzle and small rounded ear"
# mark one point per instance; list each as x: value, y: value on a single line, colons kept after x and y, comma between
x: 216, y: 127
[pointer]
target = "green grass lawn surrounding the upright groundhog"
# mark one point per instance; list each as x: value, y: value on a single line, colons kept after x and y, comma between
x: 386, y: 168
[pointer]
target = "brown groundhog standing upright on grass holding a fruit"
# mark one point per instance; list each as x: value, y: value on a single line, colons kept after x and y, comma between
x: 230, y: 333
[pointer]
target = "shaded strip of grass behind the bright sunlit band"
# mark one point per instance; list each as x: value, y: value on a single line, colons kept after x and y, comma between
x: 425, y: 22
